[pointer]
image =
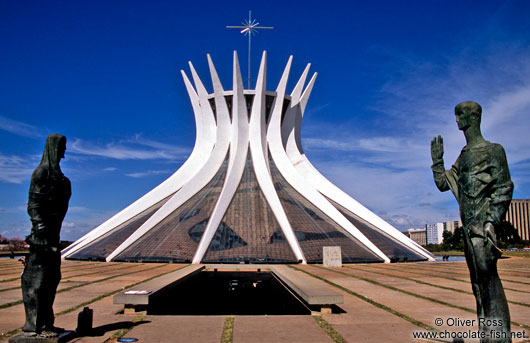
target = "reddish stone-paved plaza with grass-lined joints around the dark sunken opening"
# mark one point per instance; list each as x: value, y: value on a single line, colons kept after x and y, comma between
x: 382, y: 303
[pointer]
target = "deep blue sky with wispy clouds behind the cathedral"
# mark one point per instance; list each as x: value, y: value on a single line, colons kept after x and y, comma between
x: 106, y: 74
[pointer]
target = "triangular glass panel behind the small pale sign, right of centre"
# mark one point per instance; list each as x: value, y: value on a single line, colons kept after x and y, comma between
x: 314, y: 229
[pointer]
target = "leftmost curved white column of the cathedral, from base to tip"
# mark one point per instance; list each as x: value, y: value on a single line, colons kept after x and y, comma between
x: 204, y: 140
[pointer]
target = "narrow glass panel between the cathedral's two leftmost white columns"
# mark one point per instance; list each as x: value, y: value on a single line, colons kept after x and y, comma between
x: 103, y: 246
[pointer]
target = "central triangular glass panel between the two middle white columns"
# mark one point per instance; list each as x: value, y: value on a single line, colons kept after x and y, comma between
x: 249, y: 231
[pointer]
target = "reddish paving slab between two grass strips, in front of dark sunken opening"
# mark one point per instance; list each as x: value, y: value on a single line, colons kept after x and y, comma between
x: 292, y: 329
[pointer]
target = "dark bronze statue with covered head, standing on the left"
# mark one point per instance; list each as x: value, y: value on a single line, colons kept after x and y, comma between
x: 49, y: 194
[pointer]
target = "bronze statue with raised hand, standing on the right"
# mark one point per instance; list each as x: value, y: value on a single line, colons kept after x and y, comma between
x: 480, y: 182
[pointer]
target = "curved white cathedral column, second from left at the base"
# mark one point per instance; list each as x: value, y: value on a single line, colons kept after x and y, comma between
x: 200, y: 179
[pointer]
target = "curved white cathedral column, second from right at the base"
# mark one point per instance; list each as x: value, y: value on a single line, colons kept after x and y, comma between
x: 291, y: 175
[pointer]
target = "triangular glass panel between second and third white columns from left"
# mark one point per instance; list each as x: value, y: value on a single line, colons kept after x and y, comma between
x: 176, y: 237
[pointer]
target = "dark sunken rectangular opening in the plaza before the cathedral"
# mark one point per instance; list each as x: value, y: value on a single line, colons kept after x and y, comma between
x: 228, y: 292
